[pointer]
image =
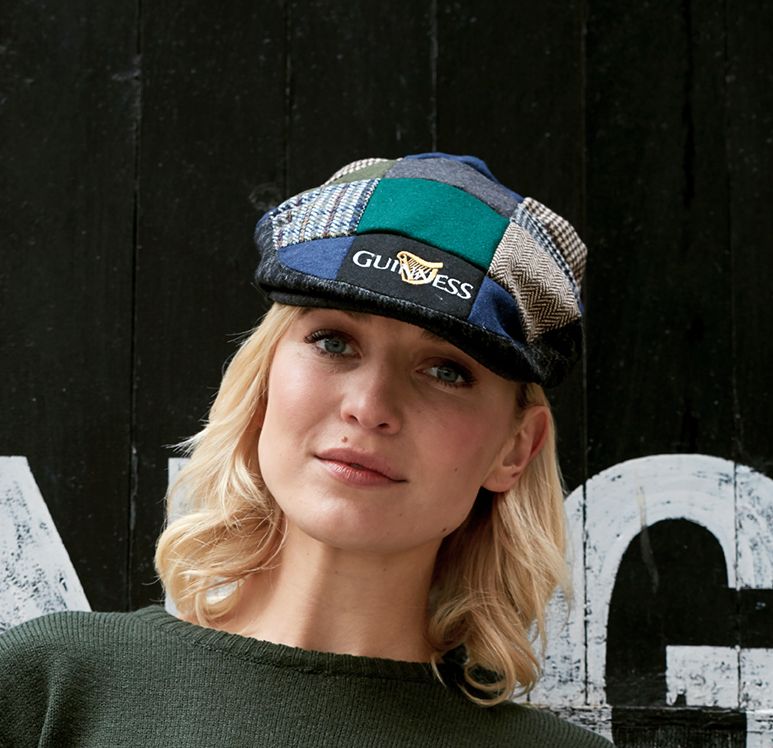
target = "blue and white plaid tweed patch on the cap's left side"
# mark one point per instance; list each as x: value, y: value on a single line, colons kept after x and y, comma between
x: 329, y: 211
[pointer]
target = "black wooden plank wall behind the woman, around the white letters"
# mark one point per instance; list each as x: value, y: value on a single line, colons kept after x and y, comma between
x: 140, y: 141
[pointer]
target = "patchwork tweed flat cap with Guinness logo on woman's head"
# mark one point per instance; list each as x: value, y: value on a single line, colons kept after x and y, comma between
x: 435, y: 240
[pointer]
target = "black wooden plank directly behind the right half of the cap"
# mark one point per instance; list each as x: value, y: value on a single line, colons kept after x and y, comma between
x: 509, y: 89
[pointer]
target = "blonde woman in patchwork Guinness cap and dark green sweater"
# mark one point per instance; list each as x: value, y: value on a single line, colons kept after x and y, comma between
x: 376, y: 519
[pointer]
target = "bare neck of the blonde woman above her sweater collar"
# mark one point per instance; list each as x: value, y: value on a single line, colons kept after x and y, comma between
x: 330, y: 600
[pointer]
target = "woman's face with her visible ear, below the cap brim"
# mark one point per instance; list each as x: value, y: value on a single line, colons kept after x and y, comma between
x: 377, y: 435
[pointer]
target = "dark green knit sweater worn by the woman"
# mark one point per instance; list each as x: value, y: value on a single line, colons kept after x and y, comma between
x: 149, y: 679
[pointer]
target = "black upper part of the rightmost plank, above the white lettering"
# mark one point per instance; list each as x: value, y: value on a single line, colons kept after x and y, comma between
x: 750, y: 154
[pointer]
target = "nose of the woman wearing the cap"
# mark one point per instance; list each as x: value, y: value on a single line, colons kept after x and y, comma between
x: 371, y: 399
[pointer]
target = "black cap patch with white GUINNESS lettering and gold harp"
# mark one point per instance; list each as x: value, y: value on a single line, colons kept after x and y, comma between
x: 405, y: 269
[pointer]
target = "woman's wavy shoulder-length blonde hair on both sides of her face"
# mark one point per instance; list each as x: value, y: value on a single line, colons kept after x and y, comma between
x: 493, y: 575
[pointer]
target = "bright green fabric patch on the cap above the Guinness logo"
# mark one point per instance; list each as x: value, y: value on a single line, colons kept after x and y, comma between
x: 436, y: 214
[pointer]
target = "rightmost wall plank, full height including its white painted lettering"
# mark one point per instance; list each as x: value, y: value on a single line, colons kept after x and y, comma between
x: 749, y: 113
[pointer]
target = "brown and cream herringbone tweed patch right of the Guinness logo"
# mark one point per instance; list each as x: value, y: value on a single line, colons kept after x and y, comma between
x: 544, y: 293
